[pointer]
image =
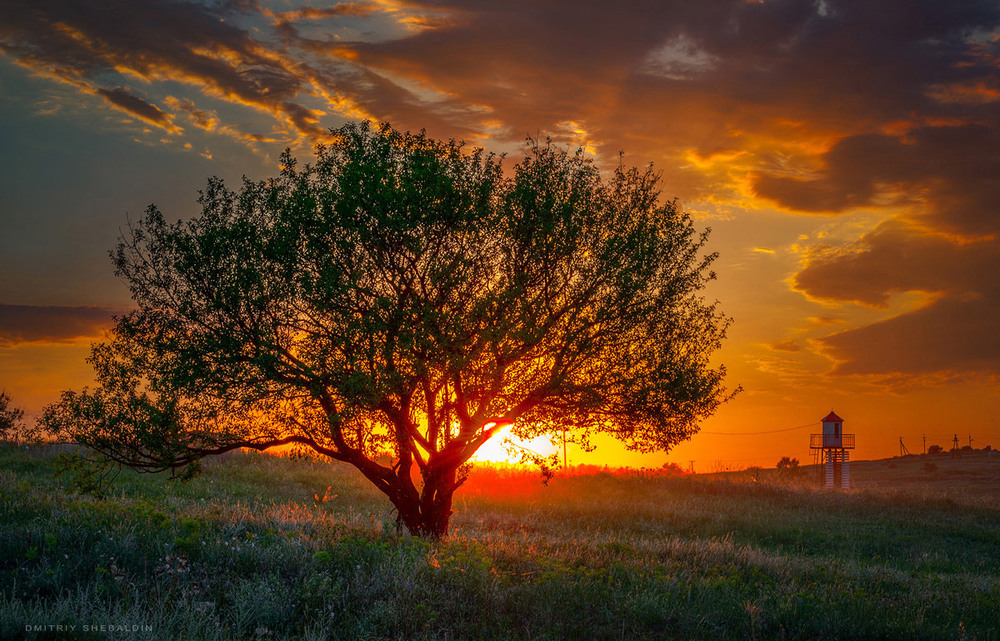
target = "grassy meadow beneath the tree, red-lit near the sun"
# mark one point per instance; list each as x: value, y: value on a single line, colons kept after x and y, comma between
x: 246, y: 551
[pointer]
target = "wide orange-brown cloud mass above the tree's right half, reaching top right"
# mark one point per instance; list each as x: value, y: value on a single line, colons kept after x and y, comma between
x: 779, y: 81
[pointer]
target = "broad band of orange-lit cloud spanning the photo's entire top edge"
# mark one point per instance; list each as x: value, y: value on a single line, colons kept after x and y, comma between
x: 658, y: 81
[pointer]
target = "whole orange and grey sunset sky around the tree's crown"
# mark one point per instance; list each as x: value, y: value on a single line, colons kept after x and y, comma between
x: 845, y: 154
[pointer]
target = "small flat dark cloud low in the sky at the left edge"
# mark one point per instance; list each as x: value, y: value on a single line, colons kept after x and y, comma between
x: 30, y: 324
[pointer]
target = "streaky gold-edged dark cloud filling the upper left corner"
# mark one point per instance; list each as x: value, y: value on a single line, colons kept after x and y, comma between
x: 100, y: 46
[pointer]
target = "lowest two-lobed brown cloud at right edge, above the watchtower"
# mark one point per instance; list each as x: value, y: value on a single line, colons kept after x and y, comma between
x: 955, y: 331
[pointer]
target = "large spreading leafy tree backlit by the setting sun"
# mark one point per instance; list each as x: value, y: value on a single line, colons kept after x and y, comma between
x: 397, y: 303
